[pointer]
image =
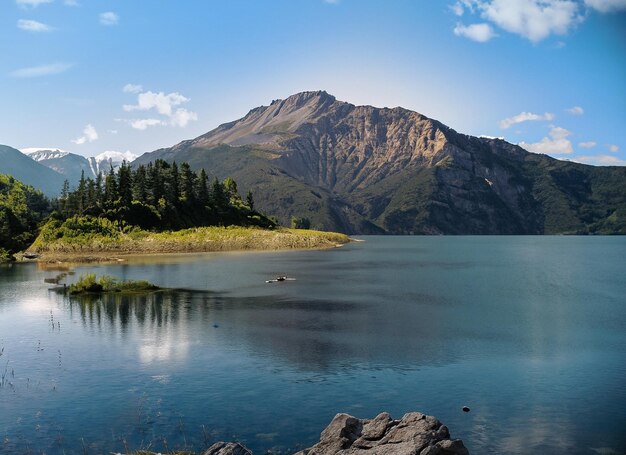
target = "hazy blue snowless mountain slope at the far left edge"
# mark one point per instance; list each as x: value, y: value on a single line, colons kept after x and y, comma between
x: 15, y: 163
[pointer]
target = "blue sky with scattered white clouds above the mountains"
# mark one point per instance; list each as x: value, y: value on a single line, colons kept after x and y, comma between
x: 90, y: 76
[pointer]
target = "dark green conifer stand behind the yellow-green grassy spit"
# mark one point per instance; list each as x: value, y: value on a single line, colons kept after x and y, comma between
x: 160, y: 196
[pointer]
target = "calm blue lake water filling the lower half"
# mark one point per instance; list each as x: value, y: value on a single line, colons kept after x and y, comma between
x: 529, y: 332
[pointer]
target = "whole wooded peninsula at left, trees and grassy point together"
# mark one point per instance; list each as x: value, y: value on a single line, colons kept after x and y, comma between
x: 160, y: 208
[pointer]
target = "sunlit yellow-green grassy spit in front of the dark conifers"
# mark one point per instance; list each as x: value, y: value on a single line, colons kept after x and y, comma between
x: 91, y: 239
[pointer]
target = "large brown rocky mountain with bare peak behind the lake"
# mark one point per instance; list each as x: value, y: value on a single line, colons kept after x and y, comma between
x: 362, y: 169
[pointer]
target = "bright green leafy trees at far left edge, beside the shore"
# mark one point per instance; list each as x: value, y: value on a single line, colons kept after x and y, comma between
x: 22, y: 208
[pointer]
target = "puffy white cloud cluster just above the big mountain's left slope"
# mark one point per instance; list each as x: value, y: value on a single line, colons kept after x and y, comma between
x: 164, y: 104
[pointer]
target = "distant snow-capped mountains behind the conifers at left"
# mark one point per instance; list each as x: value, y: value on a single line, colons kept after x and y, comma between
x: 72, y: 165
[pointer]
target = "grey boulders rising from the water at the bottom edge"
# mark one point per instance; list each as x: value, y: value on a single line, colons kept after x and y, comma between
x: 414, y: 434
